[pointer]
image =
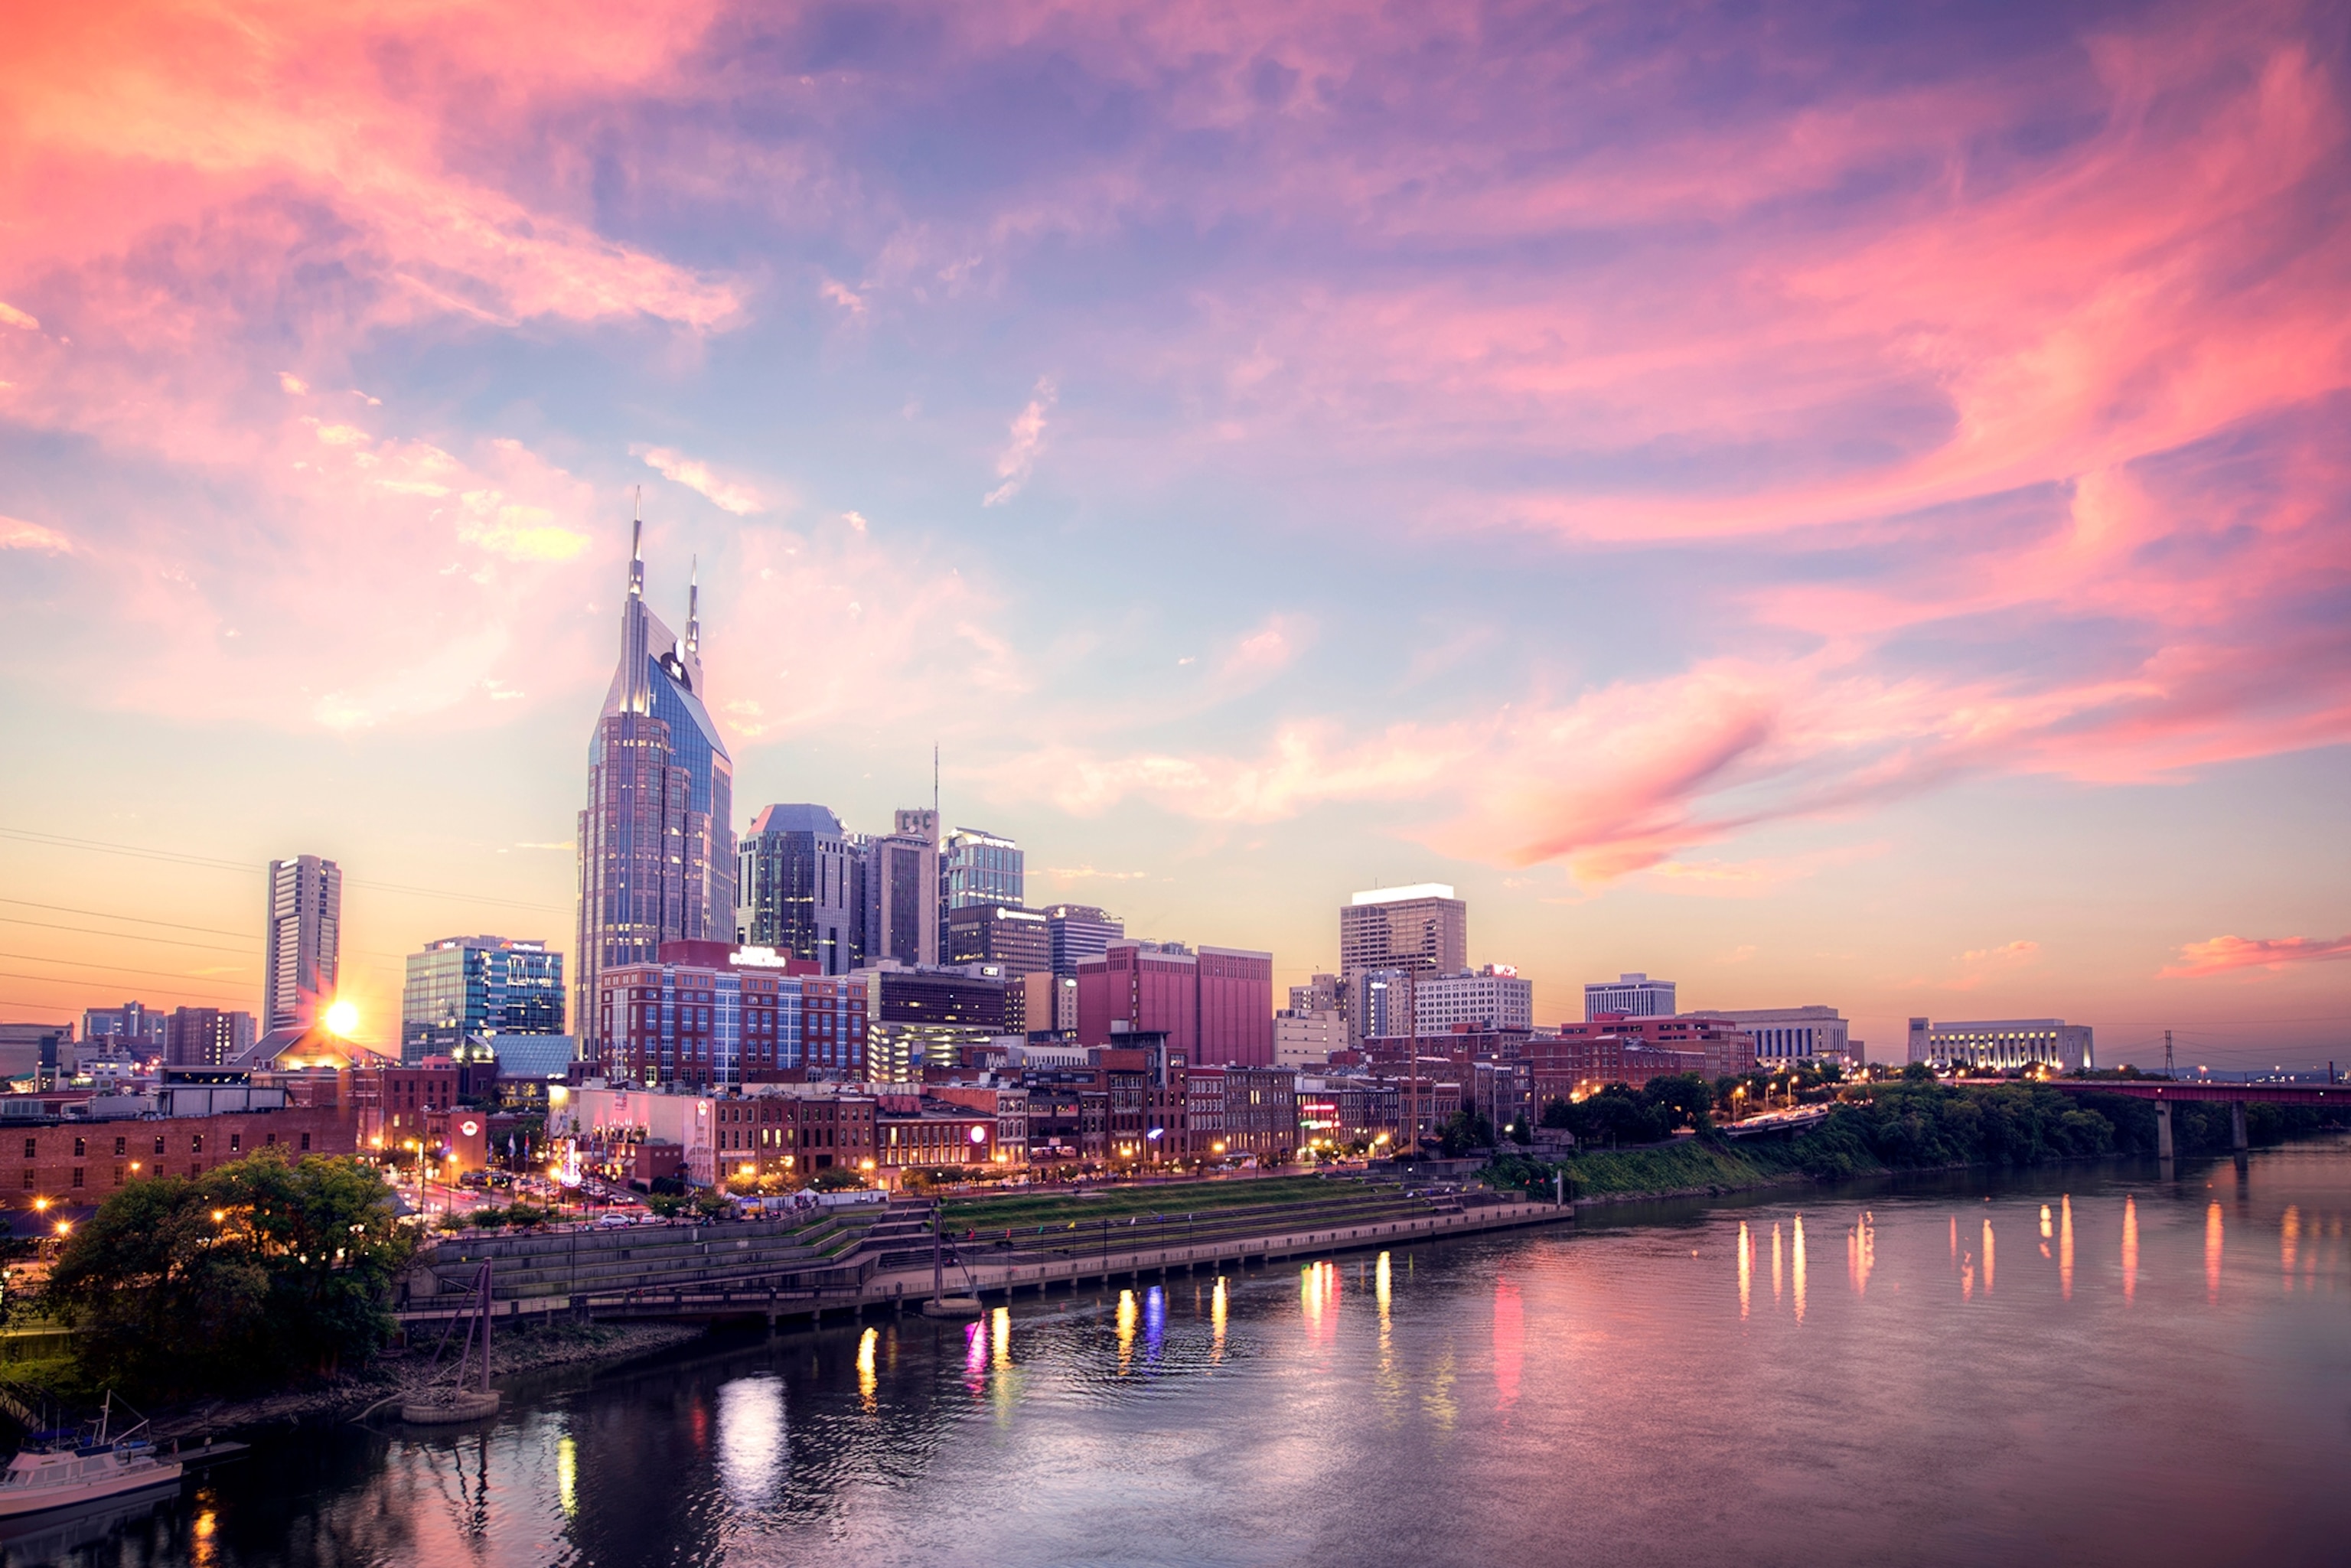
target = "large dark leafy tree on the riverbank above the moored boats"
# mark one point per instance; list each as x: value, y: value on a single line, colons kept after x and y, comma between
x: 250, y: 1275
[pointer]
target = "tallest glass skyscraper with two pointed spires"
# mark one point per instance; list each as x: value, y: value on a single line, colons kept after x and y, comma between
x: 657, y: 836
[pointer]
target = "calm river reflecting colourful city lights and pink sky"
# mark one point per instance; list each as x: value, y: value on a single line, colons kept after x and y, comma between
x: 2084, y: 1365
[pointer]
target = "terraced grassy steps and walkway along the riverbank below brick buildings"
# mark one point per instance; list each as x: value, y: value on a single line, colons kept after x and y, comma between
x: 871, y: 1261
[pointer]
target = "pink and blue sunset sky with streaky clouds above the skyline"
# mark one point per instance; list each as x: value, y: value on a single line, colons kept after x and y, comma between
x: 1818, y: 504
